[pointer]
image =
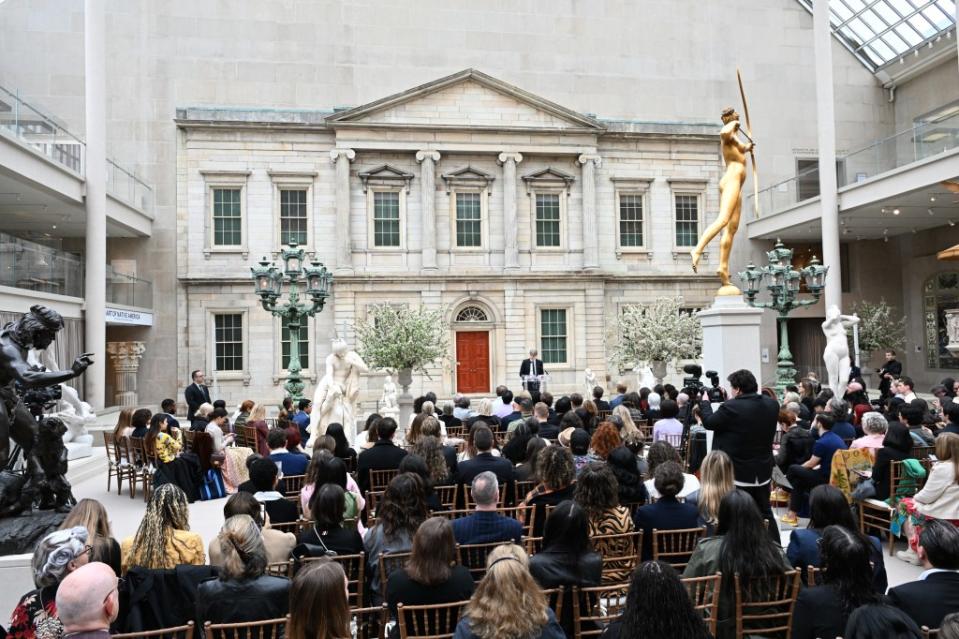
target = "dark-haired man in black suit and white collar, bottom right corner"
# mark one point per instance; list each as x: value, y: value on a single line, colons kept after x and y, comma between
x: 936, y: 593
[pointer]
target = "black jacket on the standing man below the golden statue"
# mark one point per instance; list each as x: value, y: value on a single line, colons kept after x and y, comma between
x: 744, y: 429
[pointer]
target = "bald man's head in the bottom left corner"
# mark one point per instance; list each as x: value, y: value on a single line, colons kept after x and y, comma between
x: 88, y: 601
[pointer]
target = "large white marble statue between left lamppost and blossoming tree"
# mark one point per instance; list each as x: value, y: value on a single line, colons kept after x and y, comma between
x: 336, y: 394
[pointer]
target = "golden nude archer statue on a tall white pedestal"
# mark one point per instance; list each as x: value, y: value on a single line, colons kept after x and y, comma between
x: 730, y: 200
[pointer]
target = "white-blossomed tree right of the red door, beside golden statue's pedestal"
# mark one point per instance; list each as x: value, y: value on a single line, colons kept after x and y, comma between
x: 656, y: 333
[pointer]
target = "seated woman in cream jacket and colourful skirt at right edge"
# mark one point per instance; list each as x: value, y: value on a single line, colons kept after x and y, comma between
x: 938, y: 499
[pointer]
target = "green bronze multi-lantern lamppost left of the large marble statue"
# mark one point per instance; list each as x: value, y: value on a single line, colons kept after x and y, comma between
x: 268, y: 281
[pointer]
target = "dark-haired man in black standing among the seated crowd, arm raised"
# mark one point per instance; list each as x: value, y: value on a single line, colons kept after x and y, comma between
x: 744, y: 428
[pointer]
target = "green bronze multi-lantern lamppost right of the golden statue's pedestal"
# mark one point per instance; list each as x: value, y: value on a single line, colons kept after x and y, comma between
x: 783, y: 286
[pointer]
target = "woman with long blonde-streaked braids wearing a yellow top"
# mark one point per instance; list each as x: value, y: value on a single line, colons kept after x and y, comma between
x: 163, y: 539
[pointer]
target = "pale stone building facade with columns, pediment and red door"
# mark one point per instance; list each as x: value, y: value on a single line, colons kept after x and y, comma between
x: 529, y: 224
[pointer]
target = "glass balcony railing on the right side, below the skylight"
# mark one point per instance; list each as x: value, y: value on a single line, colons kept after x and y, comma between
x: 912, y: 145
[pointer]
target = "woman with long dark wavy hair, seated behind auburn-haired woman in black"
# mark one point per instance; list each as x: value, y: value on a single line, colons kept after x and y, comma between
x: 398, y: 515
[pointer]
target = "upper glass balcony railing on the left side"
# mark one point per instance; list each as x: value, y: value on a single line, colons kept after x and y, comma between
x: 33, y: 128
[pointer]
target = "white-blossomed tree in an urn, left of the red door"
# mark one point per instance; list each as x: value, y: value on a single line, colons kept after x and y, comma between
x: 403, y: 339
